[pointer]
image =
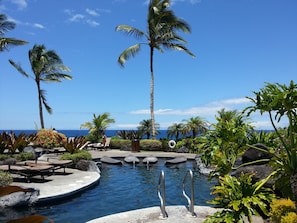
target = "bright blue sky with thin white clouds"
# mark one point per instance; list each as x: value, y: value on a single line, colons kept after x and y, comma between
x: 239, y: 45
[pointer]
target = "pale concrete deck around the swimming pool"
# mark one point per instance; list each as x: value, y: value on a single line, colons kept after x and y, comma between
x: 62, y: 185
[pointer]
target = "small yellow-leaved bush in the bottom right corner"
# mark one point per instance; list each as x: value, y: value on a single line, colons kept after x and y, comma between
x: 281, y: 208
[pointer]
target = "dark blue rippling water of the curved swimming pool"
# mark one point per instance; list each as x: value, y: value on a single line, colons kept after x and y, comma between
x: 125, y: 188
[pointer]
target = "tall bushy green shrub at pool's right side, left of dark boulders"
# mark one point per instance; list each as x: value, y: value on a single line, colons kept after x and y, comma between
x: 222, y: 145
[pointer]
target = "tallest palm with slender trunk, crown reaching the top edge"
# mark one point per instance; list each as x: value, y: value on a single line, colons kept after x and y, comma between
x: 162, y: 28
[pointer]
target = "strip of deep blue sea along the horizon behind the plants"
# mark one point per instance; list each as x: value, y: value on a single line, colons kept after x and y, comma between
x: 84, y: 132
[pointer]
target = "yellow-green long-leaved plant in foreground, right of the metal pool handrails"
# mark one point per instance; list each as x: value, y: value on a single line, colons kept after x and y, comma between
x: 241, y: 198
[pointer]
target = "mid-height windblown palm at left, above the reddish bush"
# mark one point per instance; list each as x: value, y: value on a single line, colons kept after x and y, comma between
x: 47, y: 66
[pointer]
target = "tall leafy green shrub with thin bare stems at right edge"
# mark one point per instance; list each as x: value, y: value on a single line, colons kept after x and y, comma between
x: 279, y: 101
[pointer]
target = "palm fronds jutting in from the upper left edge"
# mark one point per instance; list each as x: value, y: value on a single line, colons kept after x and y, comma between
x: 6, y: 42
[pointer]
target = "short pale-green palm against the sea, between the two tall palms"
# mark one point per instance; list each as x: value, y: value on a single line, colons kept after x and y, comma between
x: 98, y: 125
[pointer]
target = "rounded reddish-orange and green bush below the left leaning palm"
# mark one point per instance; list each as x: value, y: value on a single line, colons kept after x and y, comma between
x: 49, y: 139
